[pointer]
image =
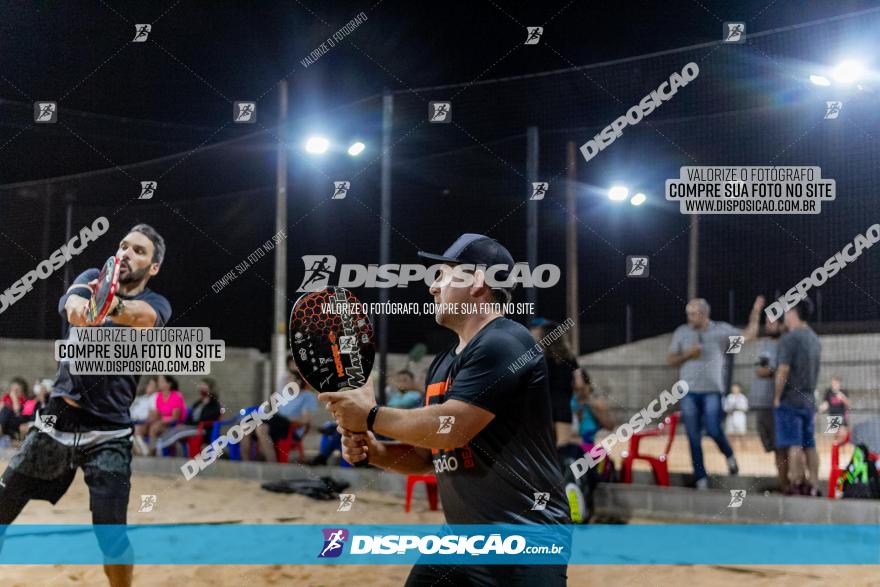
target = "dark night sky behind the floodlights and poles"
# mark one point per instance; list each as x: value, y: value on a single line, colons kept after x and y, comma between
x: 122, y: 103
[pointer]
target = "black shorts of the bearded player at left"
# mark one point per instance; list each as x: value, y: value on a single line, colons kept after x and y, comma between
x: 43, y: 468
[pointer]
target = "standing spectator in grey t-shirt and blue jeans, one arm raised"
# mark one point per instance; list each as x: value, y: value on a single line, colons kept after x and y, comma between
x: 698, y: 349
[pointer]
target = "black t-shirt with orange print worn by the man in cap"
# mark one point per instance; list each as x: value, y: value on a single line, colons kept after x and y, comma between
x: 495, y: 477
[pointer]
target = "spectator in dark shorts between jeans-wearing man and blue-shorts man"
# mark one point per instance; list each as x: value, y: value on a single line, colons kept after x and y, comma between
x: 761, y: 397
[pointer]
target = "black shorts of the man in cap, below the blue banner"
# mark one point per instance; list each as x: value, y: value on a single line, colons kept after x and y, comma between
x: 488, y: 576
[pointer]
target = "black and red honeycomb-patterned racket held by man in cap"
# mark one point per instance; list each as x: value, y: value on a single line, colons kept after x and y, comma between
x: 332, y: 341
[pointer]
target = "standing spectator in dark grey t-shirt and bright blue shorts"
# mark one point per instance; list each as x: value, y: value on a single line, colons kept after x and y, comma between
x: 795, y: 401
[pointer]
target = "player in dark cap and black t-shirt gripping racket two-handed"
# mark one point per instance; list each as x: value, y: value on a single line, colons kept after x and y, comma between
x: 486, y: 429
